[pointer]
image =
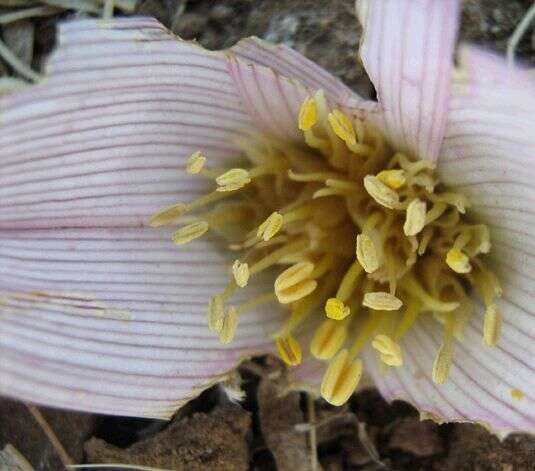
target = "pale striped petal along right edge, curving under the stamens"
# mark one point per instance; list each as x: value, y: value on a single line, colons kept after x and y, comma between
x: 488, y: 153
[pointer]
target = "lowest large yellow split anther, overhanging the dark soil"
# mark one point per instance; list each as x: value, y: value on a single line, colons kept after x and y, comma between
x: 341, y: 378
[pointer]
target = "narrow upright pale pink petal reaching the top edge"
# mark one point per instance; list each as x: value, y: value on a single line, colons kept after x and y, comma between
x: 407, y: 50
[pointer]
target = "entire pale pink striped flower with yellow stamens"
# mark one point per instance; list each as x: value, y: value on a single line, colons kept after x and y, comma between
x: 100, y: 312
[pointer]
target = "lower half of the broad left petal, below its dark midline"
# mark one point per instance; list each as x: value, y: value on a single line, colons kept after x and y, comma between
x: 113, y: 320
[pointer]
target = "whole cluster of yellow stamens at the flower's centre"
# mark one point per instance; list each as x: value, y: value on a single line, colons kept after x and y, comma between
x: 369, y: 240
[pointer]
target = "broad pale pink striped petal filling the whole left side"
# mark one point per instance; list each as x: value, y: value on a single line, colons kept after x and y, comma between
x: 97, y: 312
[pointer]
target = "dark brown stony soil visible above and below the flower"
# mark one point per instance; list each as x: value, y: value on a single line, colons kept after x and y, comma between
x: 268, y: 430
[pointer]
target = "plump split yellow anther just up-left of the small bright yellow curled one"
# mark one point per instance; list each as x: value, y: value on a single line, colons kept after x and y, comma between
x: 294, y: 283
